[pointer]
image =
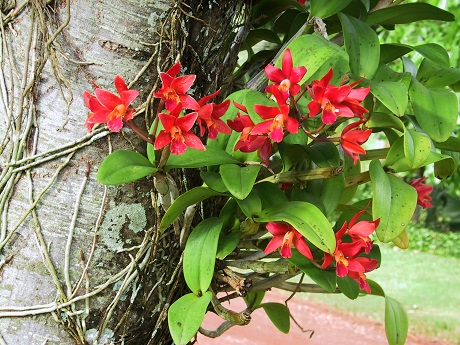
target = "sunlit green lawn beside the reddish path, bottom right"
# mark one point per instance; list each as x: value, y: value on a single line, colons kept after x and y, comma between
x: 427, y: 285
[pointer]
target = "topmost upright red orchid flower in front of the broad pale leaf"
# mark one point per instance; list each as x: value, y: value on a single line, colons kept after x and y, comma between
x: 286, y: 78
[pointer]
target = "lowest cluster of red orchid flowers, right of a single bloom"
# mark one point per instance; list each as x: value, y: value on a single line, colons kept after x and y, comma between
x: 348, y: 261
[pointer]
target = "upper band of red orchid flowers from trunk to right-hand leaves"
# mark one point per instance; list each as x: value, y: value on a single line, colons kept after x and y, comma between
x: 330, y: 100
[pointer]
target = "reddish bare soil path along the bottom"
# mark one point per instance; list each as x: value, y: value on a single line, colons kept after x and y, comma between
x: 322, y: 325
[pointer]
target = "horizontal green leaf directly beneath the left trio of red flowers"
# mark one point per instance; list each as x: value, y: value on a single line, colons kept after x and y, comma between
x: 196, y: 158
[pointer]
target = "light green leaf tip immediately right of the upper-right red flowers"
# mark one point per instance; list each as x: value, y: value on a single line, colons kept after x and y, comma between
x: 393, y: 95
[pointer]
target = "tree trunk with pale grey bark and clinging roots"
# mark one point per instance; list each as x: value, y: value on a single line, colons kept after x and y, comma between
x: 79, y: 262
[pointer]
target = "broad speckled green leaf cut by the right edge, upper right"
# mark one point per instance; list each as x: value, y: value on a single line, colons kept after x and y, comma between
x: 435, y: 110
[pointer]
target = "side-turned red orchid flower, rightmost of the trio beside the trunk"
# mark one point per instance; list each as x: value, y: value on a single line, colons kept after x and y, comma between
x: 209, y: 116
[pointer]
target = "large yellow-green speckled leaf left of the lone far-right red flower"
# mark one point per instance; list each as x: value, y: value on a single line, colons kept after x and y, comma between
x: 393, y: 202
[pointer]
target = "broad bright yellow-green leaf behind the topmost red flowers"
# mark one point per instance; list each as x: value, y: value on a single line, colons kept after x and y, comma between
x: 318, y: 55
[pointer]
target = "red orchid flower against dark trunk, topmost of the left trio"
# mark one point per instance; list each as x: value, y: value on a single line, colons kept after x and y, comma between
x: 174, y: 89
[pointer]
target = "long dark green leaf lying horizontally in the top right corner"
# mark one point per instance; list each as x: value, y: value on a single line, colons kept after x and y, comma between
x: 408, y: 13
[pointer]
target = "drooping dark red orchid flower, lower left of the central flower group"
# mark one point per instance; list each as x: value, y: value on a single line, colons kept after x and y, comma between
x: 249, y: 142
